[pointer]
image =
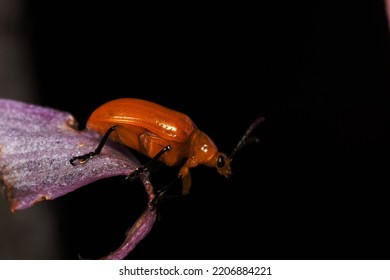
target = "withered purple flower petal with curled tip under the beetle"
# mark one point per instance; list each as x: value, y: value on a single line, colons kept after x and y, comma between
x: 36, y: 144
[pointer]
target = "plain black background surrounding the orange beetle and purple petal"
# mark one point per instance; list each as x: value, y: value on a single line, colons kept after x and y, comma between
x: 315, y: 188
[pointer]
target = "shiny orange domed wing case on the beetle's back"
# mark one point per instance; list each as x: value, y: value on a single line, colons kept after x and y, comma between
x: 165, y: 123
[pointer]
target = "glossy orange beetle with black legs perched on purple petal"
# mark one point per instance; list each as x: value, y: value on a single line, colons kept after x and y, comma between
x: 161, y: 134
